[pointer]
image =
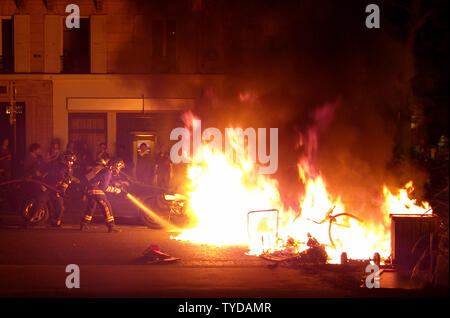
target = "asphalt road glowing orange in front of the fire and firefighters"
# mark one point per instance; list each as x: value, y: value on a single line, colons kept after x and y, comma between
x: 33, y: 264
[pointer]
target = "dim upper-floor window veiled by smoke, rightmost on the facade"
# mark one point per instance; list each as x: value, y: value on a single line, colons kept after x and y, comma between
x: 164, y: 46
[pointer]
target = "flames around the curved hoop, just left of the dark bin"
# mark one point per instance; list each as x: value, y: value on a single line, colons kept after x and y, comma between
x: 339, y: 229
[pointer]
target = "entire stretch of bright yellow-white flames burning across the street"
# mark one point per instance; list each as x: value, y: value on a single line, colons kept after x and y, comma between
x: 222, y: 192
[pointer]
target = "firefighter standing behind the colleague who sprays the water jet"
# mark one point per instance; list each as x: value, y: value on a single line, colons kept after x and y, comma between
x: 60, y: 176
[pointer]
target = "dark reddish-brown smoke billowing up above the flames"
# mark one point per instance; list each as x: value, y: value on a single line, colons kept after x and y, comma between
x: 285, y: 60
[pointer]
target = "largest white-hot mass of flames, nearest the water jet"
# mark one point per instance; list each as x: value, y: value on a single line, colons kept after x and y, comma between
x: 220, y: 196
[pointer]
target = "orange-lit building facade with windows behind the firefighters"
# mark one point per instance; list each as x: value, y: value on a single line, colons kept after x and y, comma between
x: 123, y: 77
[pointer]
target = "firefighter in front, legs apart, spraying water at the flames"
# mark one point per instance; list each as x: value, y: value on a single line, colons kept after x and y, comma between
x: 96, y: 188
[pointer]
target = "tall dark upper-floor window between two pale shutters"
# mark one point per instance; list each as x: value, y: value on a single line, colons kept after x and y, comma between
x: 76, y: 48
